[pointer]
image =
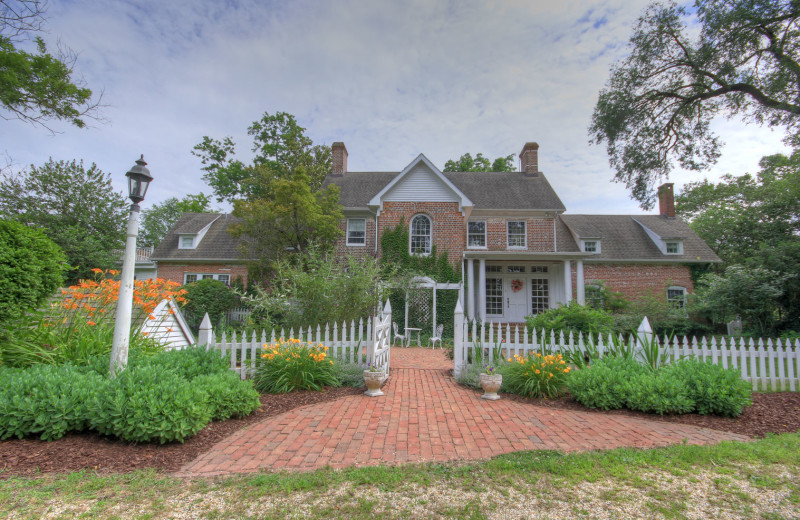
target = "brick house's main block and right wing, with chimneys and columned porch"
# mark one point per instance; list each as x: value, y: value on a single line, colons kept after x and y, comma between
x: 518, y: 251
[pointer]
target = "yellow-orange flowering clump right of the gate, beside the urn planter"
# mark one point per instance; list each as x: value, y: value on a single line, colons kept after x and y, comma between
x: 535, y: 375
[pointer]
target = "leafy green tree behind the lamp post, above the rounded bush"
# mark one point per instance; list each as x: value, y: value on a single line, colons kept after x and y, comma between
x: 77, y: 208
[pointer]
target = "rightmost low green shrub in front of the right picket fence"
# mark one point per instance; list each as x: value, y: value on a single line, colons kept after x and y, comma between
x: 714, y: 389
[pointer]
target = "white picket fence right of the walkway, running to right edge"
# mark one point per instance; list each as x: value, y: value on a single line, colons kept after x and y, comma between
x: 768, y: 364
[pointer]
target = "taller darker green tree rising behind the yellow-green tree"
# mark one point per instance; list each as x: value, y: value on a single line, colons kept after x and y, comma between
x: 280, y: 145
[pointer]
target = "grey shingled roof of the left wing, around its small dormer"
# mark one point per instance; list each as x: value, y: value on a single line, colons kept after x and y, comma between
x: 217, y: 244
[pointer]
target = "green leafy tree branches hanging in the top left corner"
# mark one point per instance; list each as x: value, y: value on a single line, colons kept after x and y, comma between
x: 38, y: 87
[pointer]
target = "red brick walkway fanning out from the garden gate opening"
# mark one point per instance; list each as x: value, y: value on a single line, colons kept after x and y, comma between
x: 426, y: 416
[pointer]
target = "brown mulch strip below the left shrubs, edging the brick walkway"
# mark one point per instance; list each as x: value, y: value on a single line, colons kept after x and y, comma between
x: 101, y: 454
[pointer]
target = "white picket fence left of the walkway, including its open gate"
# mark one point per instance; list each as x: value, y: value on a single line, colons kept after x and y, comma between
x: 360, y: 343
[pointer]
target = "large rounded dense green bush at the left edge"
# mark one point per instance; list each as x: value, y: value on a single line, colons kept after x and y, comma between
x: 31, y: 269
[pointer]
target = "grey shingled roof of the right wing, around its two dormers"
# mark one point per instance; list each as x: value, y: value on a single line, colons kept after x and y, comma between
x: 623, y: 238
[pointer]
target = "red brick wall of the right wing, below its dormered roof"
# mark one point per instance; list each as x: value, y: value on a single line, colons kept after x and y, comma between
x: 636, y: 280
